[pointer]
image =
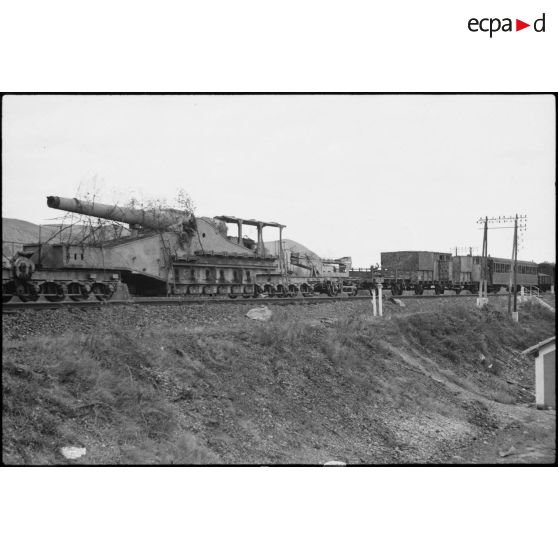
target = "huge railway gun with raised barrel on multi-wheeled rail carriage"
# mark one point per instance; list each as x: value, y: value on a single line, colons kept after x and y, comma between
x: 167, y: 252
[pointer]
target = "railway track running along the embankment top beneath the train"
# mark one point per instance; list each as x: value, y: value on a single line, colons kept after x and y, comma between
x: 12, y: 307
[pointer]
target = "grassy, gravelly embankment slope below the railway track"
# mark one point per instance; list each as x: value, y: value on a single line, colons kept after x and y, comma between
x: 413, y: 388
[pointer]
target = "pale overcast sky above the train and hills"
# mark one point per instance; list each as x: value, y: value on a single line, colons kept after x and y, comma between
x: 348, y: 175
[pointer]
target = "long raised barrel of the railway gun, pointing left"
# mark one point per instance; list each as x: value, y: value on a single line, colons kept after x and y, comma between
x: 150, y: 218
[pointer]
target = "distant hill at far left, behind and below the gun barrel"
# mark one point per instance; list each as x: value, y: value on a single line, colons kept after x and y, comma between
x: 16, y: 233
